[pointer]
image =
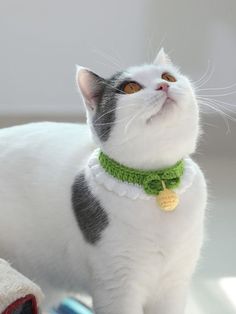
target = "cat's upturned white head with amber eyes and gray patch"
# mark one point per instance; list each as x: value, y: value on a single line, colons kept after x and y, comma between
x: 146, y: 116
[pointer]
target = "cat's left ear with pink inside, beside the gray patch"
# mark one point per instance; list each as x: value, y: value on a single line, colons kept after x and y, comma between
x: 90, y: 85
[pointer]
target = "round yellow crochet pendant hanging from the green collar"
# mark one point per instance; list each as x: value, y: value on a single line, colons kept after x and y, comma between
x: 167, y: 199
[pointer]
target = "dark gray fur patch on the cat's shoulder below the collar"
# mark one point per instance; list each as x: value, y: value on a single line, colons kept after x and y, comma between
x: 90, y: 215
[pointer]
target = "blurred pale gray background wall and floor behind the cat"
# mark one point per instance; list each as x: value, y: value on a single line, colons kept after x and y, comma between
x: 42, y: 41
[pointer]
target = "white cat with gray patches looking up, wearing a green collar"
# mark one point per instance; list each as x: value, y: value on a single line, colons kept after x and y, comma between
x: 69, y: 225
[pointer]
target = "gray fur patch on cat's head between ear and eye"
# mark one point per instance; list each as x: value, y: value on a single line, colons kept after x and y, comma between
x: 105, y: 115
